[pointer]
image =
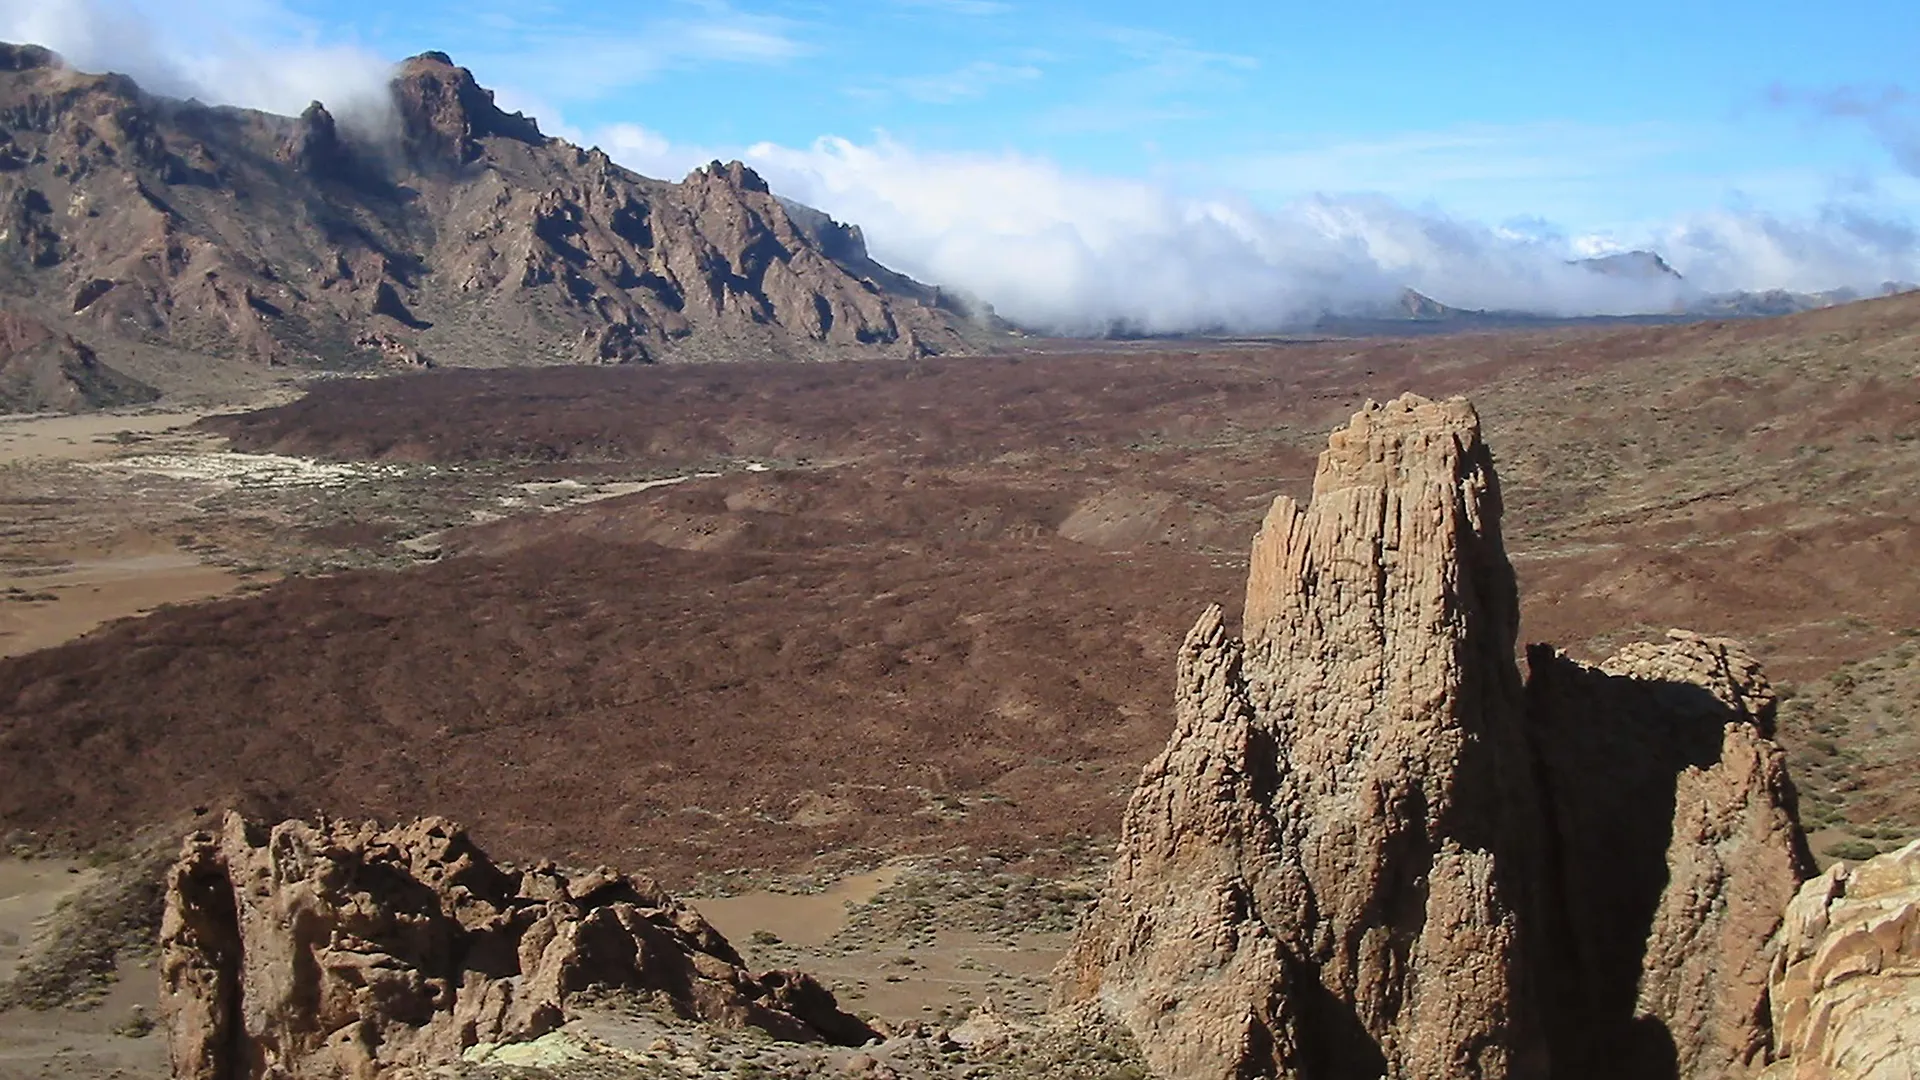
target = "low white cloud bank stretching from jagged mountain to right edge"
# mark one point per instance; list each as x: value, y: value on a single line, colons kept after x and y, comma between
x: 1080, y: 255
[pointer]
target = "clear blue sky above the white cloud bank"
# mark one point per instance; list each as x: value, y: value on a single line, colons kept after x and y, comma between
x: 1610, y: 116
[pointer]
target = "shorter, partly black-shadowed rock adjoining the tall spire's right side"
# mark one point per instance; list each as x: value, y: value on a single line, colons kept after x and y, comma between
x: 1675, y: 854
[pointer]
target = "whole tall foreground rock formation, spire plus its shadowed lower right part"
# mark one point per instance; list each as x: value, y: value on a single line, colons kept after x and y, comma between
x: 1370, y: 850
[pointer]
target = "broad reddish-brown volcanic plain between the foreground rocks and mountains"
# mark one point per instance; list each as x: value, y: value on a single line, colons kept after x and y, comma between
x: 905, y: 624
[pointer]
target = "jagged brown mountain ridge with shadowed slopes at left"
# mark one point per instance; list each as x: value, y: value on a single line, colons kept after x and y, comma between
x: 456, y: 235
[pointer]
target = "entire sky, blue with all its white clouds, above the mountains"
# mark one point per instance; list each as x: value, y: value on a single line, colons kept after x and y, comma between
x: 1765, y: 145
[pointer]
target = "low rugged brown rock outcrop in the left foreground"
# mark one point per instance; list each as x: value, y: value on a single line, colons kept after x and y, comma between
x: 345, y: 950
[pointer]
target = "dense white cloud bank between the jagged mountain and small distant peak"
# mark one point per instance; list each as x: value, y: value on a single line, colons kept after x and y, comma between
x: 1076, y: 253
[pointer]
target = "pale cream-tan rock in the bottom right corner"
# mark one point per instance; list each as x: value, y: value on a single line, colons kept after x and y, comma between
x: 1846, y: 983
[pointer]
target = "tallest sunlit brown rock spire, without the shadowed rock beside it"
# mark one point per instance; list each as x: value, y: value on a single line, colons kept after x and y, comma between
x: 1314, y: 873
